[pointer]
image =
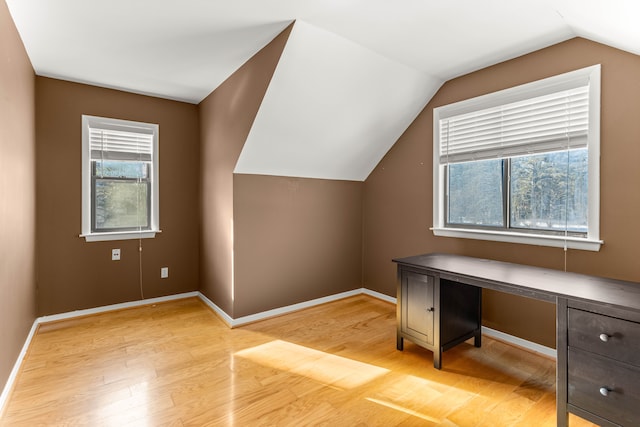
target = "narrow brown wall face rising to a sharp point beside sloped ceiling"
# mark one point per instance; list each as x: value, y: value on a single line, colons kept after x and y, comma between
x: 226, y: 116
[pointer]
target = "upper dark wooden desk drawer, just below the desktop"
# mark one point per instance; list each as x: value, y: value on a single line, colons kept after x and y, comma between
x: 608, y: 336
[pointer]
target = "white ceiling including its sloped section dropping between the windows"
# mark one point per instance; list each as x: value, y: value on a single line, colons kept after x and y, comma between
x: 353, y: 75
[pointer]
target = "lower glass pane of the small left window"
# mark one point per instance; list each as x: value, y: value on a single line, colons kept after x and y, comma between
x: 121, y: 205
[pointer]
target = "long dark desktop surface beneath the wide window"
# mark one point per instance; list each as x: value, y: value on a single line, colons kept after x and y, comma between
x: 535, y: 282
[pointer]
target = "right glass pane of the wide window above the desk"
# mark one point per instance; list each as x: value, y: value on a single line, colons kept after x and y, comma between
x: 543, y: 198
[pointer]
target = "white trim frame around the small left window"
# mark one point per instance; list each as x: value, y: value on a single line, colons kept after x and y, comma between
x: 90, y: 236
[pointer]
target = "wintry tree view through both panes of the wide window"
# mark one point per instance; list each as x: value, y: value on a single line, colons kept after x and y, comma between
x: 537, y: 192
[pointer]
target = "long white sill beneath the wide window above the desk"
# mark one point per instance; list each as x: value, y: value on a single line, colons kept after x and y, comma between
x: 523, y: 238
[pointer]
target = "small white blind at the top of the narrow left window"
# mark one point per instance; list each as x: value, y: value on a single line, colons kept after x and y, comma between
x: 111, y: 143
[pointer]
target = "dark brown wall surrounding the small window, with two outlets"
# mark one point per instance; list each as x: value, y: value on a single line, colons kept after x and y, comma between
x: 73, y: 274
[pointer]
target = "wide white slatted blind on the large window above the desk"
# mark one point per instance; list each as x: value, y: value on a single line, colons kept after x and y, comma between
x: 555, y: 121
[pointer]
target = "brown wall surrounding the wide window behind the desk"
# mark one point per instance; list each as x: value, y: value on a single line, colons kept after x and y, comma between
x: 398, y: 193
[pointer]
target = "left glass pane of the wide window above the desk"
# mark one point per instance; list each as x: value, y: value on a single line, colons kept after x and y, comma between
x: 475, y: 193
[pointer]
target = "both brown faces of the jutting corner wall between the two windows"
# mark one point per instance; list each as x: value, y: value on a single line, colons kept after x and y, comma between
x: 267, y: 241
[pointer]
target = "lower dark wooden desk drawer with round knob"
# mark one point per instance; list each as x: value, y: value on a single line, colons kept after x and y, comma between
x: 603, y: 387
